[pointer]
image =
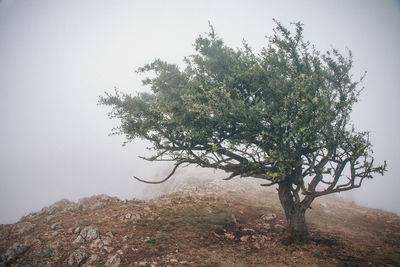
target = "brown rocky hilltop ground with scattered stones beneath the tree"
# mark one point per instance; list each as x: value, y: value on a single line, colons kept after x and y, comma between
x: 217, y: 224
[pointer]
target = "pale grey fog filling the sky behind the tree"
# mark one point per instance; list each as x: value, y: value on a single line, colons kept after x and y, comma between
x: 57, y: 57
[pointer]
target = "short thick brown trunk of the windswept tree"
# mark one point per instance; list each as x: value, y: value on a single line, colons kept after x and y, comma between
x: 295, y: 214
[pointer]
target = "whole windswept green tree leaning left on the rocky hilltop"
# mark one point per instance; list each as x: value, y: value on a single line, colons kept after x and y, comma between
x: 282, y: 116
